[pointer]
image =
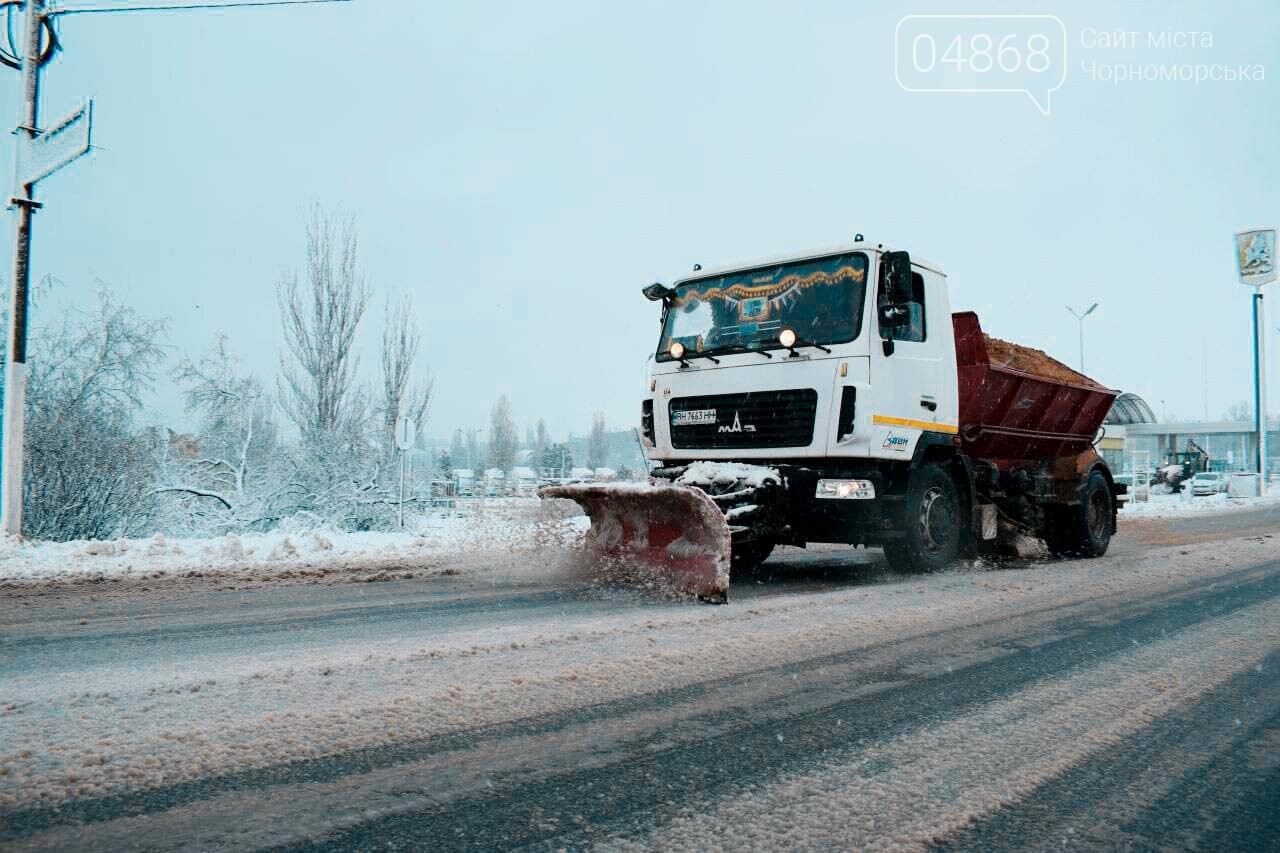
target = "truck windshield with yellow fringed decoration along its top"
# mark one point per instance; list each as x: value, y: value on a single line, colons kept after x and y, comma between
x: 820, y: 300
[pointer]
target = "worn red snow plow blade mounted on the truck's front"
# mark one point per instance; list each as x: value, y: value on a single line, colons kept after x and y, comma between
x: 656, y: 532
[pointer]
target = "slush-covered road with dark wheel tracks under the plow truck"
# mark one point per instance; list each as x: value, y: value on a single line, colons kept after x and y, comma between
x: 1127, y: 701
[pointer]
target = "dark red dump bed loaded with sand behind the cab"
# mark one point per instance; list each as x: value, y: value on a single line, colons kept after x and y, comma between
x: 1017, y: 403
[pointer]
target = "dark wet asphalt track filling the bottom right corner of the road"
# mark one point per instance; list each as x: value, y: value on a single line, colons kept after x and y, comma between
x: 1206, y: 777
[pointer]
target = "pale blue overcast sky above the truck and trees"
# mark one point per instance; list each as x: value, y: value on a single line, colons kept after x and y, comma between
x: 523, y: 170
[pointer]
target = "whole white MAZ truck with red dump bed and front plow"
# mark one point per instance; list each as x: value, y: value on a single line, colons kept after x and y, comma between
x: 833, y: 396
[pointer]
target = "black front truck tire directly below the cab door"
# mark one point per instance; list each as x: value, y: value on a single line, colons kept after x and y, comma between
x: 932, y: 528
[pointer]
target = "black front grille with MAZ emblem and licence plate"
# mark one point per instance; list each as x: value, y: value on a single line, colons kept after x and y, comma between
x: 760, y: 419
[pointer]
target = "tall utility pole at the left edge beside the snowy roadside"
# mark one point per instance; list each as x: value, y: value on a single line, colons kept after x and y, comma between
x: 25, y: 203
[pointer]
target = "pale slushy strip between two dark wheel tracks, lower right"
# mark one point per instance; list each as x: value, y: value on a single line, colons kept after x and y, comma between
x: 915, y: 791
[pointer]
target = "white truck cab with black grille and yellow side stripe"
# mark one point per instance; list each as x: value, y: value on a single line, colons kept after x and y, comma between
x: 854, y: 385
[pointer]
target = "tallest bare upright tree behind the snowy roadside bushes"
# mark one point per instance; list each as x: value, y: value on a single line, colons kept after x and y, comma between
x: 321, y: 318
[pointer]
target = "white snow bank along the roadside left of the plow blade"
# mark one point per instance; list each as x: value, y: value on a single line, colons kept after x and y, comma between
x: 482, y: 527
